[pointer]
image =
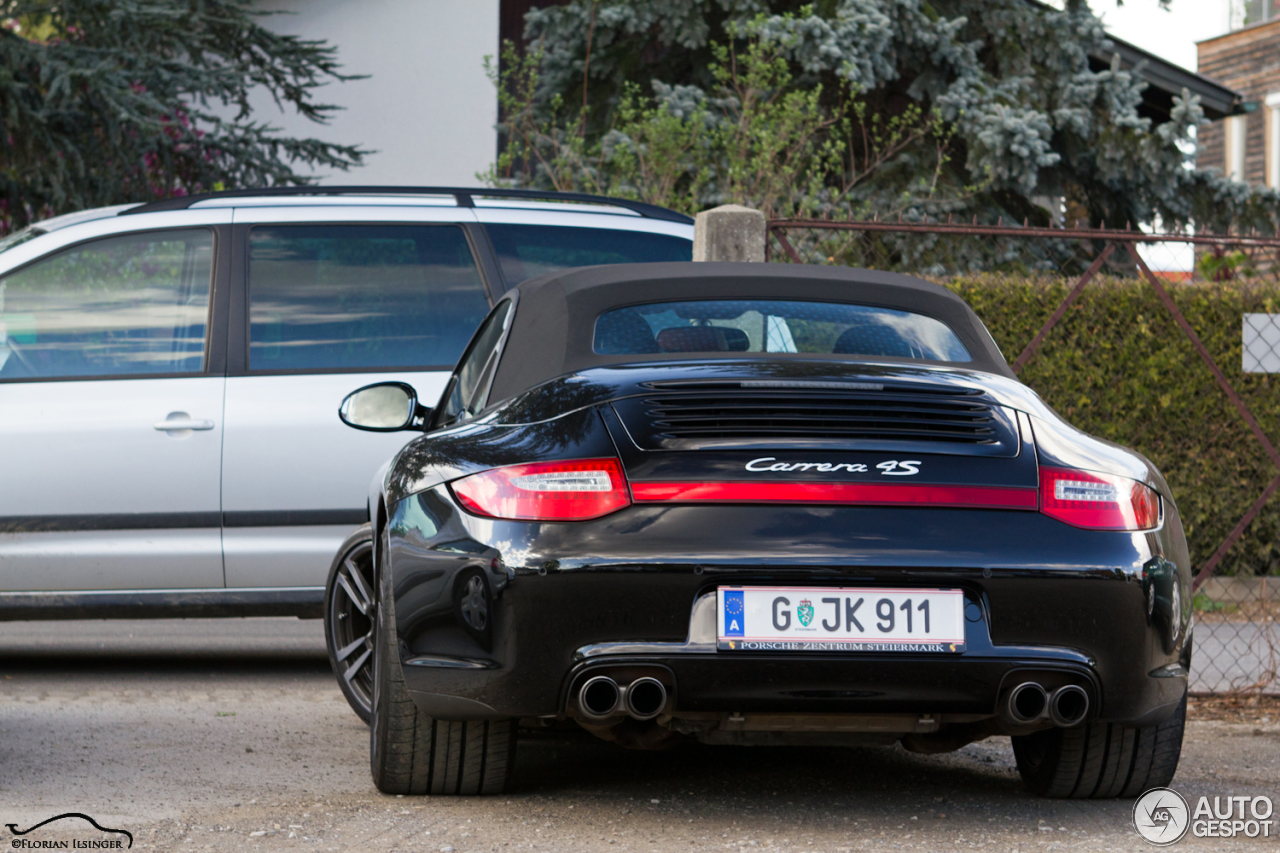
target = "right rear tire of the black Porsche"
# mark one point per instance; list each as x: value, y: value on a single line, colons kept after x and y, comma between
x: 1100, y: 760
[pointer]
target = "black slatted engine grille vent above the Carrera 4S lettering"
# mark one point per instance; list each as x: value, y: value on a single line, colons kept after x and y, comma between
x: 888, y: 416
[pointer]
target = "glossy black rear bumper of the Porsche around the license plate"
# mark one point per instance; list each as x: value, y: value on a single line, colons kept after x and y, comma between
x: 574, y: 600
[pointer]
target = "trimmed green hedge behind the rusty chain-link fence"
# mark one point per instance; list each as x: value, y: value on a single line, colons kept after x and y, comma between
x: 1119, y: 367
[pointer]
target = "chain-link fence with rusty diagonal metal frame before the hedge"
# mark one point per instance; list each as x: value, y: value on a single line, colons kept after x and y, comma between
x: 1168, y: 344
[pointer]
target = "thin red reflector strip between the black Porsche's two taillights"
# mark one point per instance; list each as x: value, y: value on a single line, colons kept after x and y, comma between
x: 851, y: 494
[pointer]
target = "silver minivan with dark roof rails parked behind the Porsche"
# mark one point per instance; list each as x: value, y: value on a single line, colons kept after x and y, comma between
x: 171, y: 376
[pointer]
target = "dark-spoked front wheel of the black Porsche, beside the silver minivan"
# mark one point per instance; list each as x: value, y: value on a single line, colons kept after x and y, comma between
x: 349, y: 619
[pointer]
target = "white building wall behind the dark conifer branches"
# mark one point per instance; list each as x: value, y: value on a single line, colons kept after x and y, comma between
x: 427, y: 107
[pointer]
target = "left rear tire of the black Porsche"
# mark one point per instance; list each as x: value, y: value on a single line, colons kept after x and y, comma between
x: 412, y: 752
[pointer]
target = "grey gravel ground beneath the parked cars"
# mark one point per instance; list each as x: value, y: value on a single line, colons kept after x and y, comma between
x: 231, y: 736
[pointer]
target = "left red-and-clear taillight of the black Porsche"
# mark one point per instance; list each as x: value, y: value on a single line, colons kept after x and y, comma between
x: 573, y: 491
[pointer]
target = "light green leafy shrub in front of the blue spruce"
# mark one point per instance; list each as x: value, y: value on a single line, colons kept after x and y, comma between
x: 757, y: 138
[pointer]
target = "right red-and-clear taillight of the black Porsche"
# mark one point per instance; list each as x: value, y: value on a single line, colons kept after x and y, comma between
x: 1099, y: 501
